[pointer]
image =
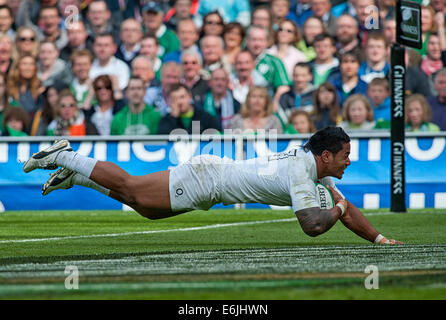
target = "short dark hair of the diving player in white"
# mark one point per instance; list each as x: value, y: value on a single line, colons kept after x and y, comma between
x: 330, y: 138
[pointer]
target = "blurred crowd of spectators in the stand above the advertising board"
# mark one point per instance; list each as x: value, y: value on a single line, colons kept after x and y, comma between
x: 102, y: 67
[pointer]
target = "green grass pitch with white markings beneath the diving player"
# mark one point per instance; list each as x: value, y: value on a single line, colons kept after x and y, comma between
x: 219, y: 254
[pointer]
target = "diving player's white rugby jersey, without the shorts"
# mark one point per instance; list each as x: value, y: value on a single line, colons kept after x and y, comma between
x: 282, y: 179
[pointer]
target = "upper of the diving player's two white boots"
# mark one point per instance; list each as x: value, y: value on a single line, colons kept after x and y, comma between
x: 46, y: 159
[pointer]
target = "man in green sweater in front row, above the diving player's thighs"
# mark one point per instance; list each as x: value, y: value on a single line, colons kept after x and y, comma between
x: 137, y: 118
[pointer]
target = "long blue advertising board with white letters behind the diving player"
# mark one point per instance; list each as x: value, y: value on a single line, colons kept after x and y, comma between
x: 365, y: 182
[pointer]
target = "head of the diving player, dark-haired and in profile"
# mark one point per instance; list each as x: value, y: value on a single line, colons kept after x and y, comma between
x: 331, y: 148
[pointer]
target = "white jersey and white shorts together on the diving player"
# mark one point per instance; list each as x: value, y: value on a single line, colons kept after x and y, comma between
x: 282, y: 179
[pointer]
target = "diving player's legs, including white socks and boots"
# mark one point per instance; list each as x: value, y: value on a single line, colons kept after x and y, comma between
x: 148, y: 194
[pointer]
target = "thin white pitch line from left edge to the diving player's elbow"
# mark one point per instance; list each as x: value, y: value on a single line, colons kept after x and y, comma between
x: 107, y: 235
